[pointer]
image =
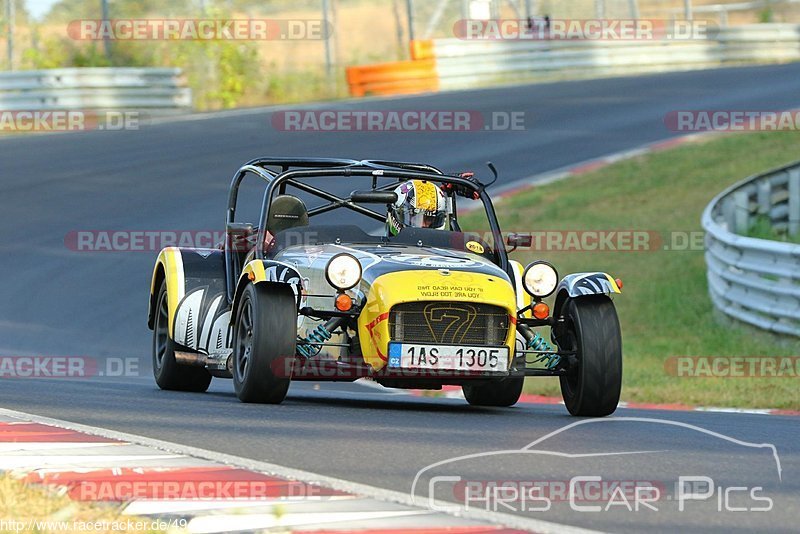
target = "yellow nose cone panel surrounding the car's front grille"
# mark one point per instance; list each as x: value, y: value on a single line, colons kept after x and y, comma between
x: 415, y: 286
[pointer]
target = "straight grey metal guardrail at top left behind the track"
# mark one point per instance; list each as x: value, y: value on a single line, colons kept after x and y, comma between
x: 154, y: 89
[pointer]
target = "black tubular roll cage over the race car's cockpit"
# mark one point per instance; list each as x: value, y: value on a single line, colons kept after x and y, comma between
x: 293, y: 169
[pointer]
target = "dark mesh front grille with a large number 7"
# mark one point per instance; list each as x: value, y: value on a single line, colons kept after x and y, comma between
x: 448, y: 323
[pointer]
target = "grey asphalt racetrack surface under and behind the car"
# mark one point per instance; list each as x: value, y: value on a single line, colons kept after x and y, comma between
x: 174, y: 176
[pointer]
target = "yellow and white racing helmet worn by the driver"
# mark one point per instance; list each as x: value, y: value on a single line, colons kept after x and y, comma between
x: 420, y: 204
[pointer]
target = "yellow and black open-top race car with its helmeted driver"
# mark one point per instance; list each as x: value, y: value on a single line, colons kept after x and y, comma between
x: 325, y: 282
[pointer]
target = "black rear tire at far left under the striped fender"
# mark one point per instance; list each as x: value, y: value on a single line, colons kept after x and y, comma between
x: 168, y: 374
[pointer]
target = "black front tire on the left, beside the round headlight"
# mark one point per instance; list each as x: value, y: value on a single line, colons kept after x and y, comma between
x: 264, y: 341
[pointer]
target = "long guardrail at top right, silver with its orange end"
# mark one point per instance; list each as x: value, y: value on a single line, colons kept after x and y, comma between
x: 458, y: 63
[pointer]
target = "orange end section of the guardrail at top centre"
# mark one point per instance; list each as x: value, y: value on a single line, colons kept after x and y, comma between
x: 398, y: 77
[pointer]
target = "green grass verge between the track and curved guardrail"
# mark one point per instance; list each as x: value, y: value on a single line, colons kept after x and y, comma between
x: 665, y: 308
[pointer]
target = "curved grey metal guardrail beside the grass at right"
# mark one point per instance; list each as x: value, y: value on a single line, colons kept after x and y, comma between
x: 756, y: 280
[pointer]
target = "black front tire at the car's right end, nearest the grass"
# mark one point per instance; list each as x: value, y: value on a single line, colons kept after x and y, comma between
x: 592, y: 330
